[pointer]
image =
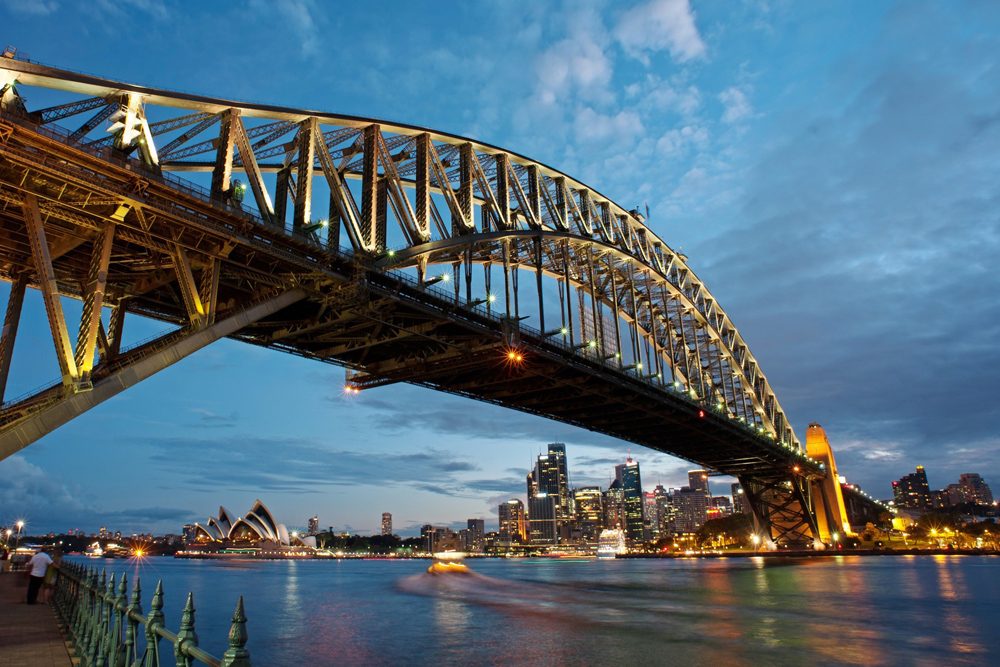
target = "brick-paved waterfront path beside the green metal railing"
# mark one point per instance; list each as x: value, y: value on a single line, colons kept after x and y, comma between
x: 29, y: 634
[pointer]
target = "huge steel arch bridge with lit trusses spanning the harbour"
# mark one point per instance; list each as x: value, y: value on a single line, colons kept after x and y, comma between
x: 400, y: 253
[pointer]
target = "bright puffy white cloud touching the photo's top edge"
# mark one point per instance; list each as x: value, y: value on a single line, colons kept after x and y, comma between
x: 660, y: 25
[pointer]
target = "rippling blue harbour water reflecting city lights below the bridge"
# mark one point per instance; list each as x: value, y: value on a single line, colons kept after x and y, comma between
x: 907, y: 610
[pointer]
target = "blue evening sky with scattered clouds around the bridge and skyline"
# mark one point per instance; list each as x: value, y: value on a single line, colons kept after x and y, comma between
x: 830, y: 169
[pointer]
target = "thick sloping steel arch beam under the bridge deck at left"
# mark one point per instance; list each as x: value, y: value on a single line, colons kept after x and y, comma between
x: 20, y: 430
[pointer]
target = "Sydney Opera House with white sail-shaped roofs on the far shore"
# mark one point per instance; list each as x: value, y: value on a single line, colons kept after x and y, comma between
x: 254, y: 532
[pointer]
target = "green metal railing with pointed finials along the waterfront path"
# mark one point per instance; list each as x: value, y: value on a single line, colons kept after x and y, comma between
x: 108, y: 629
